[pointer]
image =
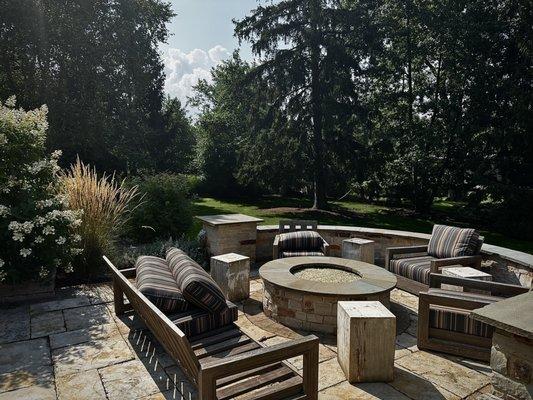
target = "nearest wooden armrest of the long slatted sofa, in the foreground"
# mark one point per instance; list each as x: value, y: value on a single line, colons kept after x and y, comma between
x: 307, y: 346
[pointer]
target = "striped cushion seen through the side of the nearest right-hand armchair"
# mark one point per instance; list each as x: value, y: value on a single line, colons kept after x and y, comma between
x: 458, y: 321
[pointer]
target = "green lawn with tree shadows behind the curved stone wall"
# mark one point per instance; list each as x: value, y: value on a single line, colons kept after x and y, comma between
x: 272, y: 209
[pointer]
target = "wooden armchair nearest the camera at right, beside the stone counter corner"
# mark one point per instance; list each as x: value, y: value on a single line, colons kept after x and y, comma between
x: 444, y: 320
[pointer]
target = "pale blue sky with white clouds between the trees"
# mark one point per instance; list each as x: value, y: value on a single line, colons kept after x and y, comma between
x: 201, y: 37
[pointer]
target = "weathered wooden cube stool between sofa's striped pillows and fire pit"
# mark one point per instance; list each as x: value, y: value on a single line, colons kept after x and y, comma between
x: 232, y: 273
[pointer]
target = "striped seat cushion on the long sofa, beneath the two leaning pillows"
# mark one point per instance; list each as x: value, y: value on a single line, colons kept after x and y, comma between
x: 200, y: 321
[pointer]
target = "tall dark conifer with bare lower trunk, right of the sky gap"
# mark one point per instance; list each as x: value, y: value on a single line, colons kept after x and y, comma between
x: 307, y: 65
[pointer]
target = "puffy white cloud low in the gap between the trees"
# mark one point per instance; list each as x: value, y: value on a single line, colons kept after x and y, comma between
x: 184, y: 70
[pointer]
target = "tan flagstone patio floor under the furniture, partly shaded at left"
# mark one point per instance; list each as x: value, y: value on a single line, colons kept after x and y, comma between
x: 74, y: 347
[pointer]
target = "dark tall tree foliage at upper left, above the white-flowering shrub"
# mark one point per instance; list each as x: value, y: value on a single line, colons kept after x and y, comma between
x: 97, y: 66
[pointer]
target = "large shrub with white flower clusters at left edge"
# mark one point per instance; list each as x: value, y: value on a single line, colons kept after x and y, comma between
x: 36, y: 225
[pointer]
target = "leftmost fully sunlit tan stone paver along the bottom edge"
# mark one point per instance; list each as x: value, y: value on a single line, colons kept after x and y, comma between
x: 85, y: 385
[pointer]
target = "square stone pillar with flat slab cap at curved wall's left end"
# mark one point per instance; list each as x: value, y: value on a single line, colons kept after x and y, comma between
x: 231, y: 233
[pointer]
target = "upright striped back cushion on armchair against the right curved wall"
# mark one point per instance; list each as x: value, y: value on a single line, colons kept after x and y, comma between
x: 449, y: 241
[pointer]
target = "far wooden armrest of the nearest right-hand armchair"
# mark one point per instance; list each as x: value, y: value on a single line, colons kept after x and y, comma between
x: 495, y: 288
